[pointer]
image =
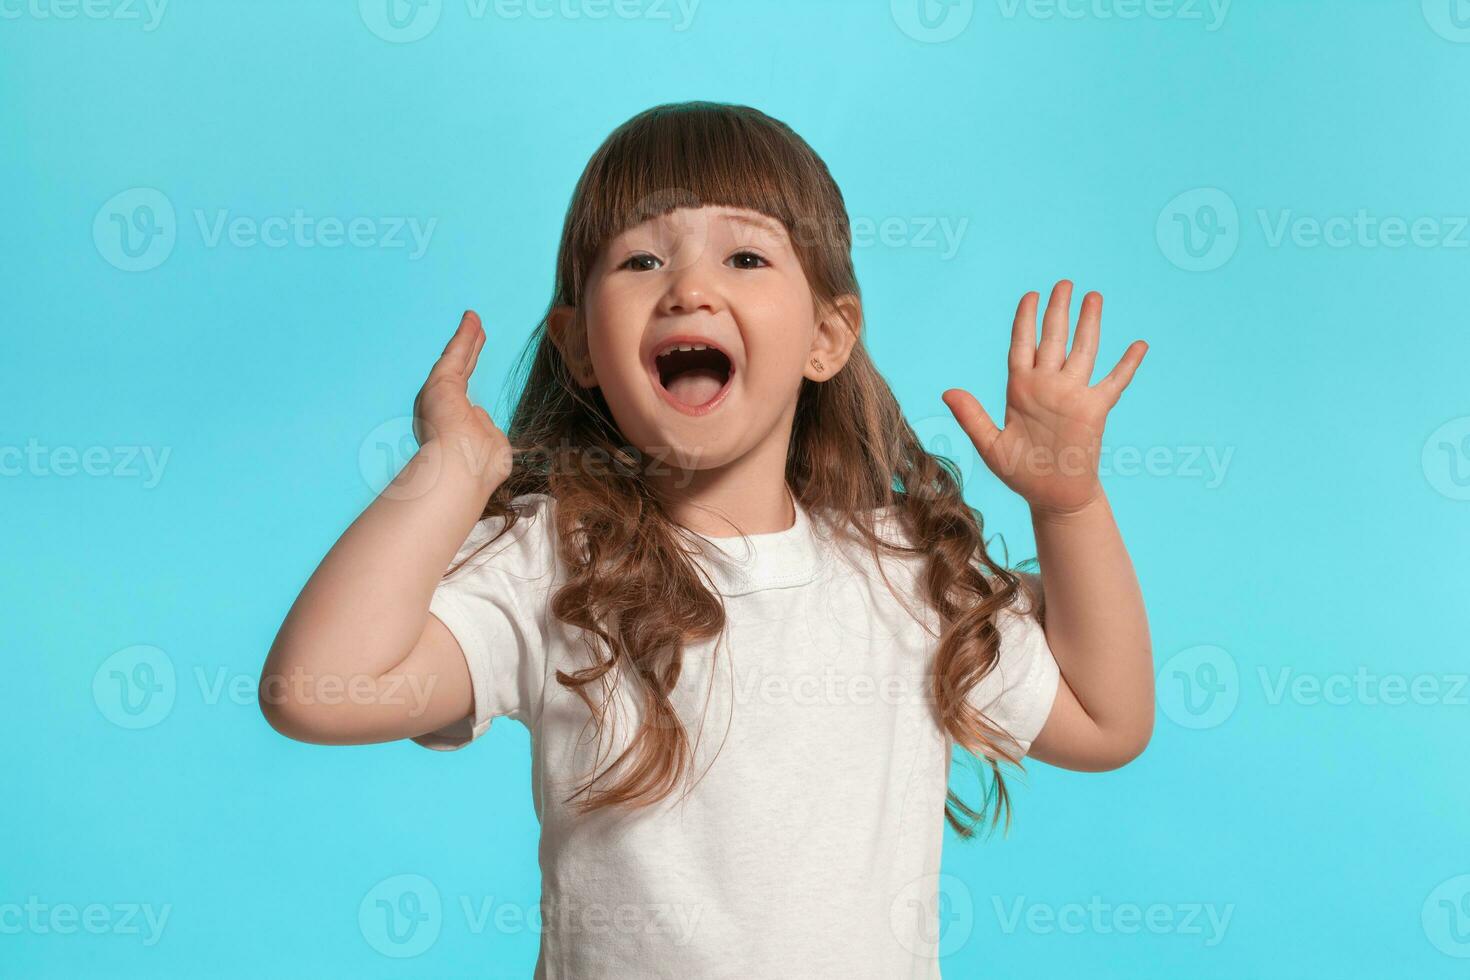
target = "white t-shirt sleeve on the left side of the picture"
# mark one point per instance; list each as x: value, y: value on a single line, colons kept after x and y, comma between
x: 496, y: 608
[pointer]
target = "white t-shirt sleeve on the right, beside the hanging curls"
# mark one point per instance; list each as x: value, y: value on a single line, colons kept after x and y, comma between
x: 1019, y: 691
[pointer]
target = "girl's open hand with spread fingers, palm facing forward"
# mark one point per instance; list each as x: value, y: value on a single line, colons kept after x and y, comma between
x: 1049, y: 450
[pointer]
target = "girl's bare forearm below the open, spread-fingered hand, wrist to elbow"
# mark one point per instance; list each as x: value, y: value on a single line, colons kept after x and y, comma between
x: 1097, y: 625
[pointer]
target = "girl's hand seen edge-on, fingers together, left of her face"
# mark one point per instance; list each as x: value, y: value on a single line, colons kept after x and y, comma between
x: 443, y: 409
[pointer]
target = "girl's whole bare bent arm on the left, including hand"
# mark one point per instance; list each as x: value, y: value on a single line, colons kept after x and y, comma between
x: 396, y: 553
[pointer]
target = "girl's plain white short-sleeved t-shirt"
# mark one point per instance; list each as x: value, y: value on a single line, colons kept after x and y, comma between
x: 811, y: 844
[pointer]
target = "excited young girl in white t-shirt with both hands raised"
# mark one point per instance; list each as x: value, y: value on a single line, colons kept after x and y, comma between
x: 745, y: 615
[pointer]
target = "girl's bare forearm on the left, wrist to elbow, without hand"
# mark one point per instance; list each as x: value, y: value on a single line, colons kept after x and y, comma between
x: 364, y: 609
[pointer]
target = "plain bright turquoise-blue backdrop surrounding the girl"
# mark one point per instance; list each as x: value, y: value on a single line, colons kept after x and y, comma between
x: 1331, y: 380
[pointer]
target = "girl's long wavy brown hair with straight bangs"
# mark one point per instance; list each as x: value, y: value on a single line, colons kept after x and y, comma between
x: 631, y: 586
